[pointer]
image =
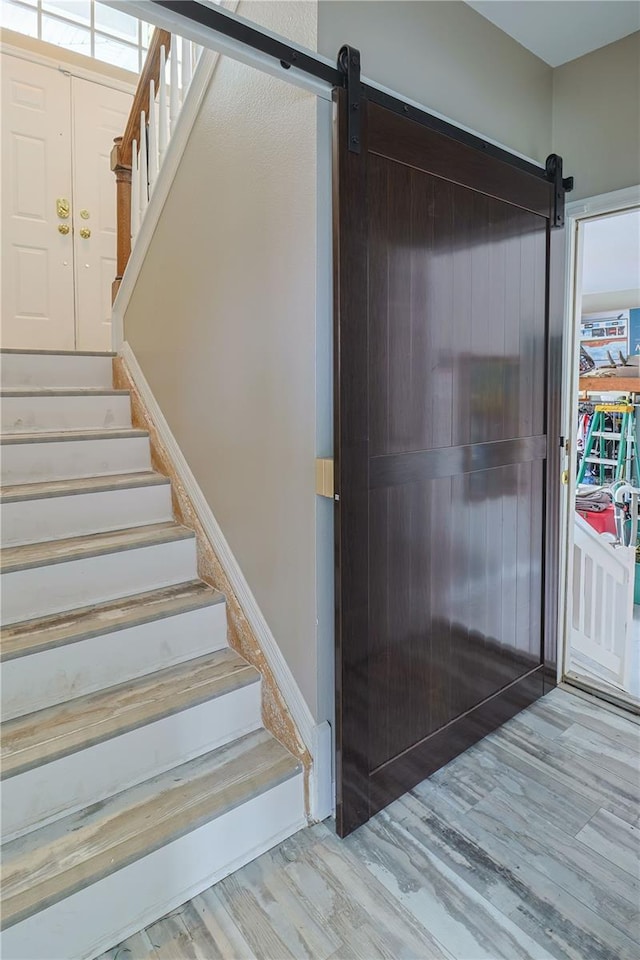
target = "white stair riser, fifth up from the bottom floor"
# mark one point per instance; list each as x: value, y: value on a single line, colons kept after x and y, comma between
x: 53, y: 518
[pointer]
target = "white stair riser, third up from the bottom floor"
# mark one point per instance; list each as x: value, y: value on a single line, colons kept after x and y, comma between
x: 55, y: 675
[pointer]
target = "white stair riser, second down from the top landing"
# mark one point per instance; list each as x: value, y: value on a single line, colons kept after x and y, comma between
x: 32, y: 414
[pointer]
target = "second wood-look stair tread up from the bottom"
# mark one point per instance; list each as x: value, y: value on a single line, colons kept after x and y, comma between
x: 54, y: 732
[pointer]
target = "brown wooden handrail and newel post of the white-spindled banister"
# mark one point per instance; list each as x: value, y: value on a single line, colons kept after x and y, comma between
x: 121, y: 153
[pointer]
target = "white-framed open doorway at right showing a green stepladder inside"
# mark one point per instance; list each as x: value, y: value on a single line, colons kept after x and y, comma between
x: 601, y: 628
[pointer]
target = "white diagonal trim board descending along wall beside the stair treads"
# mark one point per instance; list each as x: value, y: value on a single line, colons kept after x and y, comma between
x: 316, y: 737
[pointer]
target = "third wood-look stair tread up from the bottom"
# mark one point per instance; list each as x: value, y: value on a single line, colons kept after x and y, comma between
x: 31, y: 636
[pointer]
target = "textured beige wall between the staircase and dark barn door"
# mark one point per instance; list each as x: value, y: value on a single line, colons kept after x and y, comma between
x: 223, y: 323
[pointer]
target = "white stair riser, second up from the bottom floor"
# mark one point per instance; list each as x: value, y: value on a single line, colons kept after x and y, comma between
x: 63, y: 786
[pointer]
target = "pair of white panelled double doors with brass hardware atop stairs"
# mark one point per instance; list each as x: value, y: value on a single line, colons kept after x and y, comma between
x: 56, y: 290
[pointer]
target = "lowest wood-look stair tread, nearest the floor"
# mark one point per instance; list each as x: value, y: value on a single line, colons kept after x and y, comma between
x: 51, y: 863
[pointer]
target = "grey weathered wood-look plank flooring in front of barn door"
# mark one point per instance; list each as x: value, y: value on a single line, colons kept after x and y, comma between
x: 525, y: 846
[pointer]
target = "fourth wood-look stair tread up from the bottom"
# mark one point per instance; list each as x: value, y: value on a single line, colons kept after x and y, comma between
x: 90, y: 545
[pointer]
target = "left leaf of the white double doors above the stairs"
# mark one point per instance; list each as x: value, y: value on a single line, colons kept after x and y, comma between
x: 37, y: 260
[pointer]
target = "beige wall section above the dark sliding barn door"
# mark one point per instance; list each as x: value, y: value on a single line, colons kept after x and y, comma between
x: 448, y: 57
